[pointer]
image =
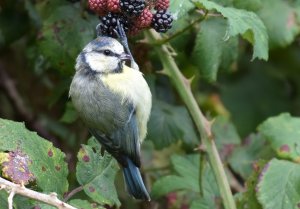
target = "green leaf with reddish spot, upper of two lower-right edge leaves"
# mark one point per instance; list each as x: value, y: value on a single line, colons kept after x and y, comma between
x: 284, y: 135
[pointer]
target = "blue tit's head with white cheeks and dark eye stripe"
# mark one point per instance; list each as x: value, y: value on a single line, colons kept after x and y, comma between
x: 102, y: 55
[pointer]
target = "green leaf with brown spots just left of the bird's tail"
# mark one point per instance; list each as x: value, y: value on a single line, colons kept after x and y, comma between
x: 97, y: 173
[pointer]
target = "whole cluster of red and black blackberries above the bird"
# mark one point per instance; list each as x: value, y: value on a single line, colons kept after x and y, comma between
x: 134, y: 15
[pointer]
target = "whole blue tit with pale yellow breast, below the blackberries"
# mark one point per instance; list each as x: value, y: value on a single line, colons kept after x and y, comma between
x: 114, y: 101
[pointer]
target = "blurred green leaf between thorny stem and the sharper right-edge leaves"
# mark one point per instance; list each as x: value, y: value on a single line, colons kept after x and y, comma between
x: 254, y: 148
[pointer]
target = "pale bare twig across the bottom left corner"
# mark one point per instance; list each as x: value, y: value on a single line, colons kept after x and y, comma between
x: 50, y: 199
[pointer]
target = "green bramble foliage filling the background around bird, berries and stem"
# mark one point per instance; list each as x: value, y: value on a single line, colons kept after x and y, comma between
x: 243, y: 56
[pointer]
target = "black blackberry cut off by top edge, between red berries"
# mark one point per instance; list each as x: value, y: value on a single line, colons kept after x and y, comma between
x: 132, y: 7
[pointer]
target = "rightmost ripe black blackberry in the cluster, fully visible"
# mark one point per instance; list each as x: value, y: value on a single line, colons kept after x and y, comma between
x: 162, y: 21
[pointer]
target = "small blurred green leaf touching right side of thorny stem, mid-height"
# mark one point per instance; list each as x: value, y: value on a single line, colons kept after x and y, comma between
x: 225, y: 133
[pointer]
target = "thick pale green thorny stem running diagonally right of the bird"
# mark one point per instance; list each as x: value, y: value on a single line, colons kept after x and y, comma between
x: 203, y: 125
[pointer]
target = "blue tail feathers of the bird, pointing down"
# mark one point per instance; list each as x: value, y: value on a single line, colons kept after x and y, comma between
x: 134, y: 182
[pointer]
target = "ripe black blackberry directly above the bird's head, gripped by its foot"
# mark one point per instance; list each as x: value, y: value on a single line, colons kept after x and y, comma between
x: 109, y: 24
